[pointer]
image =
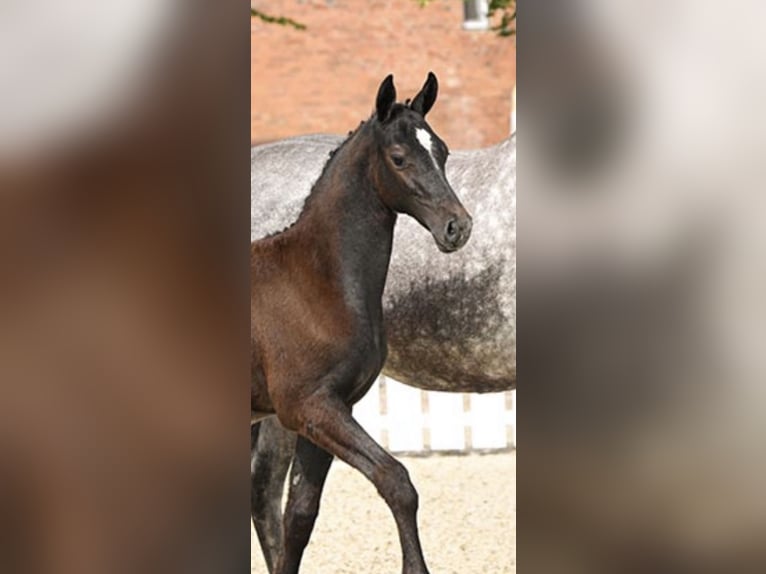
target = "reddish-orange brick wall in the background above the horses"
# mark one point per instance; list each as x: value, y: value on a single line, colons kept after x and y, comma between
x: 324, y: 79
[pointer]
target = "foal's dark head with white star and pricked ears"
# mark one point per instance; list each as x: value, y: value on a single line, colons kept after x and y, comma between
x: 411, y: 170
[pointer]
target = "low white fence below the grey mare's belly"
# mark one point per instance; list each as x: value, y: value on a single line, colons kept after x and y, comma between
x: 405, y: 419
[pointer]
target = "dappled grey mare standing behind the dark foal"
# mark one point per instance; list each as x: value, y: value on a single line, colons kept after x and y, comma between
x: 450, y: 320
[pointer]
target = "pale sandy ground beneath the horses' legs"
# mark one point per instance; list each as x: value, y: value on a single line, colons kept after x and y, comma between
x: 467, y: 519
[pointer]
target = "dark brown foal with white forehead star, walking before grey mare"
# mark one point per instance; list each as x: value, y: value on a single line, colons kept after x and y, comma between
x: 316, y: 315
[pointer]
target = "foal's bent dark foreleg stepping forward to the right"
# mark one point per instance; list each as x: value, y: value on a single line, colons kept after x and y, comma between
x: 331, y: 426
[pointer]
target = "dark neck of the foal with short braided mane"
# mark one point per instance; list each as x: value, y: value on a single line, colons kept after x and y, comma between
x: 354, y: 224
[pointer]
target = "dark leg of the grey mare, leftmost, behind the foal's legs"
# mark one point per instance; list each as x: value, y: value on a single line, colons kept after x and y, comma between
x: 271, y: 452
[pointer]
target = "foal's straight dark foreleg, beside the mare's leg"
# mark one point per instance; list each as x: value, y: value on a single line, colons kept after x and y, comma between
x: 310, y: 466
